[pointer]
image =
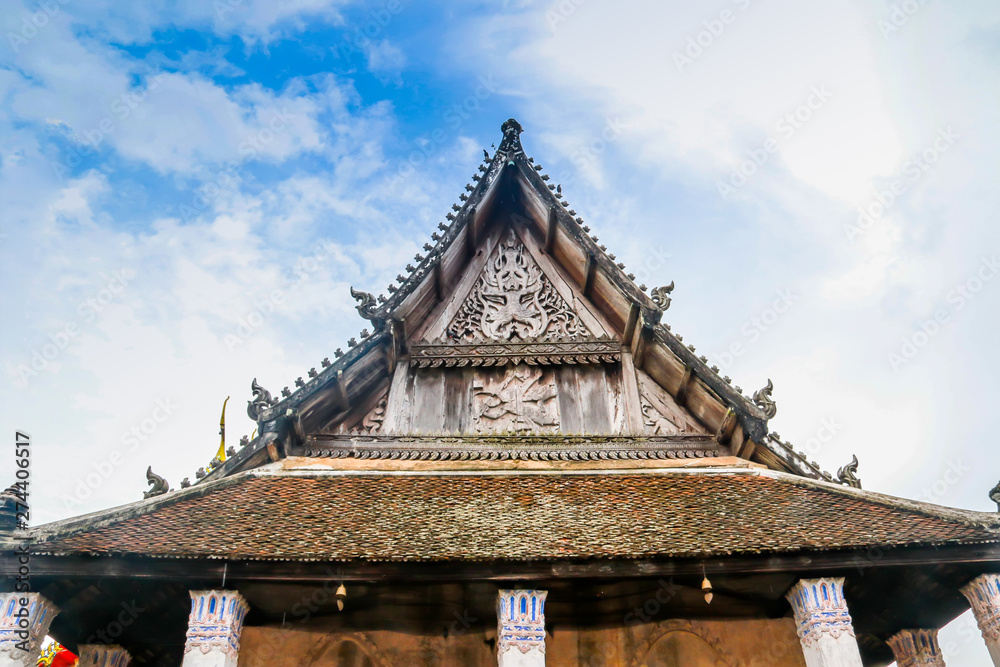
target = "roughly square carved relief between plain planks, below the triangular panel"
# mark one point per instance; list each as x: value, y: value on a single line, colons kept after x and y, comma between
x: 516, y: 399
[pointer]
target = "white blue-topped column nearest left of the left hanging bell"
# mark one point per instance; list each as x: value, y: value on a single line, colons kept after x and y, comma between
x: 214, y: 628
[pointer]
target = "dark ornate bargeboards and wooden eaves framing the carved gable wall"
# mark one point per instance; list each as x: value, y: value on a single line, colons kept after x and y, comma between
x: 512, y: 190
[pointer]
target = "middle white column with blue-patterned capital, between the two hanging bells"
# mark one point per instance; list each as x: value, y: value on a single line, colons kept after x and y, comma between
x: 521, y: 628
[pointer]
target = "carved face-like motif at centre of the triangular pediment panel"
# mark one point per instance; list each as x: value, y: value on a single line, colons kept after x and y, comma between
x: 511, y: 304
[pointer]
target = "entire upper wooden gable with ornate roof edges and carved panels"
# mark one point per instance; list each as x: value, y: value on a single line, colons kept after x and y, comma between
x: 517, y: 335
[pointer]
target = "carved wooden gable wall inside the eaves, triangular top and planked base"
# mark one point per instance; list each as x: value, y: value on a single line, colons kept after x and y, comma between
x: 515, y: 350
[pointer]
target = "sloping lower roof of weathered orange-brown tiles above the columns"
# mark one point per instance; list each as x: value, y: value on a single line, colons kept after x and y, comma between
x: 448, y: 517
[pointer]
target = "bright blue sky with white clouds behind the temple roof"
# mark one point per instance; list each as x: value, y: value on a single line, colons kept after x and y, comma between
x: 189, y: 189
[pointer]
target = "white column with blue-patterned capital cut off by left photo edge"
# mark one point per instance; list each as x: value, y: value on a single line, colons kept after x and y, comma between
x: 24, y: 622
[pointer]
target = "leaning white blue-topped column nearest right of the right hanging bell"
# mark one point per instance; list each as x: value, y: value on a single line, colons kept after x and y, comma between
x: 824, y: 624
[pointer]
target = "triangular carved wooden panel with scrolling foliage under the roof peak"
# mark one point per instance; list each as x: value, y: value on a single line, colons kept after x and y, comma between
x: 514, y: 301
